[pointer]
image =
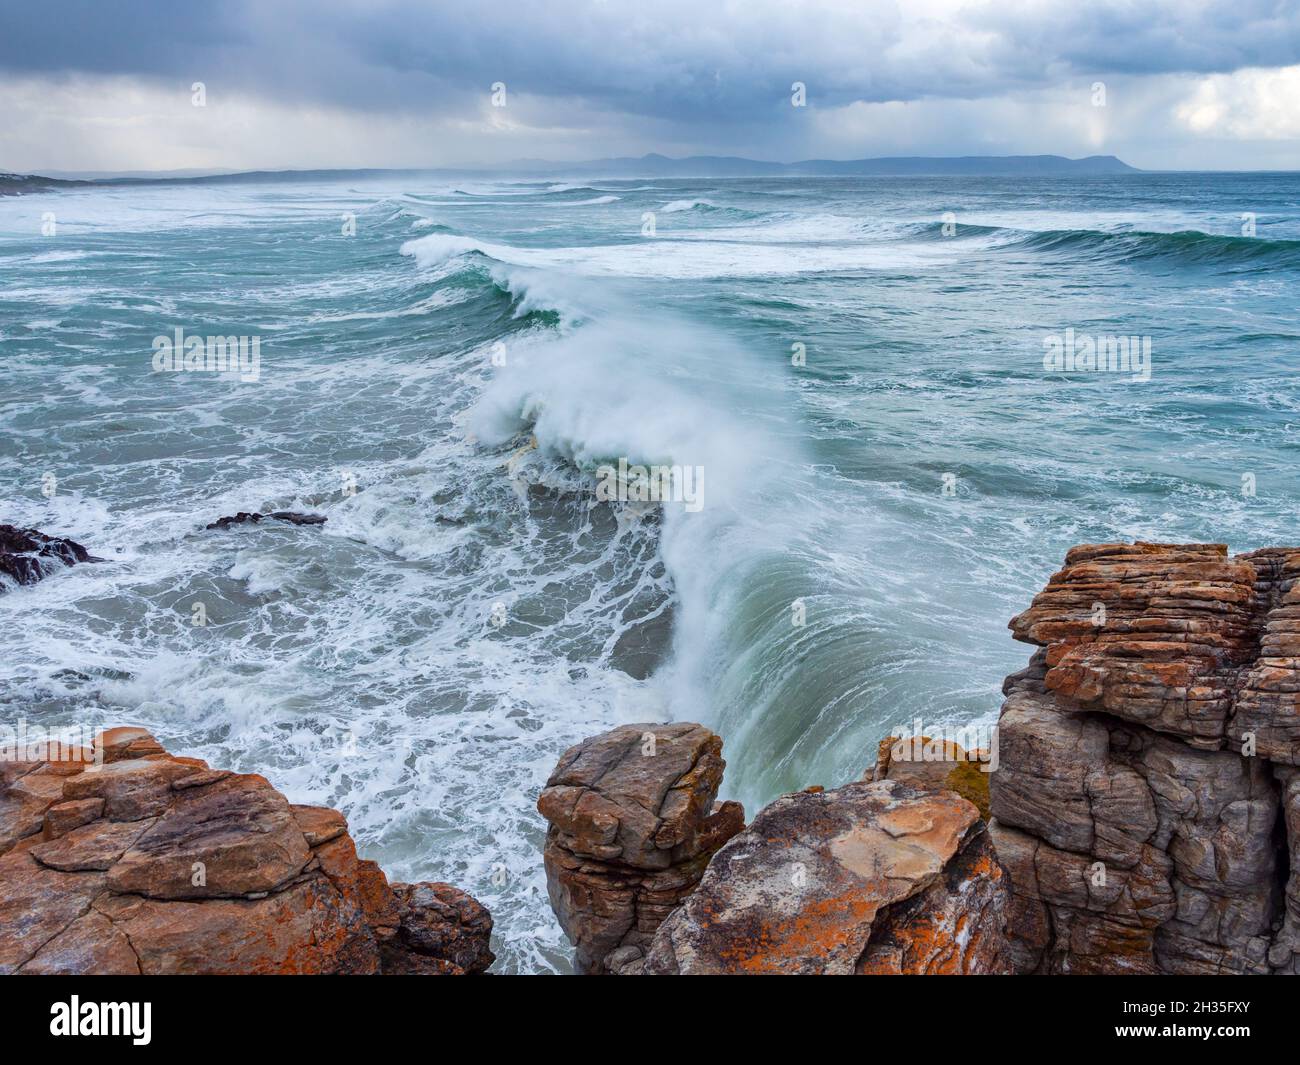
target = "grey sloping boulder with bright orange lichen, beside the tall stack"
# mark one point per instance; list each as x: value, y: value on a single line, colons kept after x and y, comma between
x: 872, y: 878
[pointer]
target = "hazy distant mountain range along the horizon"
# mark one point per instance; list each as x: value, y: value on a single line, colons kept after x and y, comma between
x: 647, y: 166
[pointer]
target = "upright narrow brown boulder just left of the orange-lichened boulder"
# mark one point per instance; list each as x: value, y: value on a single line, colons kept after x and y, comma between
x: 632, y: 828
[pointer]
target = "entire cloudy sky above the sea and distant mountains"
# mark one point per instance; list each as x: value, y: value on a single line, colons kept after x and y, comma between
x: 107, y: 85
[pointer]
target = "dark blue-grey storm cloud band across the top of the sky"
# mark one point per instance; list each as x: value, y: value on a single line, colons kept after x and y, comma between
x: 687, y: 63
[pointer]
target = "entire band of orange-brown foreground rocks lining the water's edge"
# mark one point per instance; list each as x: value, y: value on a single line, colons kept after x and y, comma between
x: 1142, y: 816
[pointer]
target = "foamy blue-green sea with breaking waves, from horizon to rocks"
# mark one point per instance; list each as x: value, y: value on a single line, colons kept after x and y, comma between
x: 447, y: 384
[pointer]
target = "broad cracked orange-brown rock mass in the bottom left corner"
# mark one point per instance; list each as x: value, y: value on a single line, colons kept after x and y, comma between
x: 128, y: 860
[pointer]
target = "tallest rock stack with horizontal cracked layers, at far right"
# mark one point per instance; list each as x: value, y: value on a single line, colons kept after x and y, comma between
x: 1146, y: 799
